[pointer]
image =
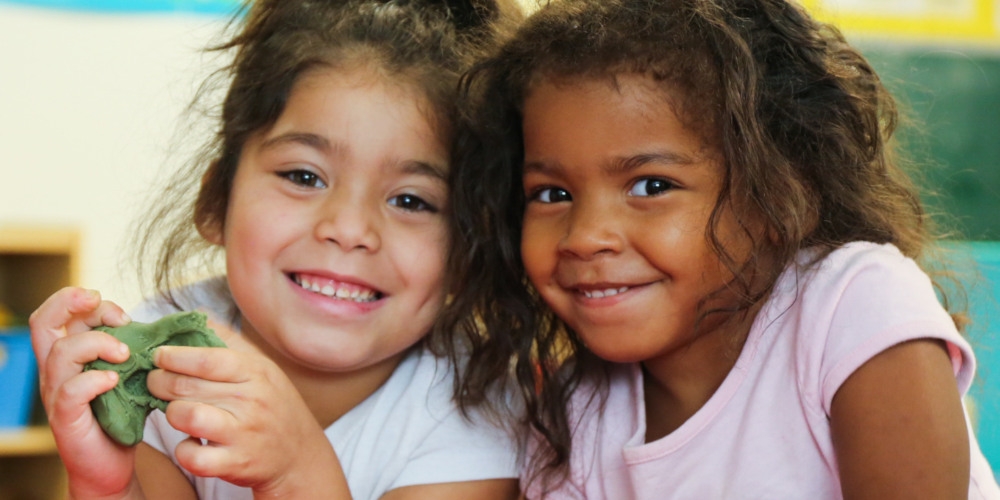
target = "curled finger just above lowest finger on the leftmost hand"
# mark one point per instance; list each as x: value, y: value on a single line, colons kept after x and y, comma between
x: 68, y: 356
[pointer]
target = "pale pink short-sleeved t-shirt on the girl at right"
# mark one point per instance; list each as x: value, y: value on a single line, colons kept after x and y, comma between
x: 765, y: 432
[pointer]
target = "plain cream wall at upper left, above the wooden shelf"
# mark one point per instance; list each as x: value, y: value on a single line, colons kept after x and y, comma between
x: 90, y: 107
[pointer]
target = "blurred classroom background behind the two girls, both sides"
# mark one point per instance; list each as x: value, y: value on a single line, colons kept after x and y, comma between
x: 92, y: 116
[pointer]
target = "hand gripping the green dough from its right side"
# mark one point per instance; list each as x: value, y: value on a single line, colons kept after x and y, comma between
x: 258, y: 431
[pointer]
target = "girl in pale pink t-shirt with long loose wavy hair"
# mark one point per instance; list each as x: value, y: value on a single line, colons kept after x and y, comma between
x: 683, y: 222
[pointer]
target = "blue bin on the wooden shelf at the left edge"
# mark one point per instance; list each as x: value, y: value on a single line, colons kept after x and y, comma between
x: 18, y: 377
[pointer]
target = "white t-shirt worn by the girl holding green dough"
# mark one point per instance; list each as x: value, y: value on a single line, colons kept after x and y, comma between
x: 408, y: 432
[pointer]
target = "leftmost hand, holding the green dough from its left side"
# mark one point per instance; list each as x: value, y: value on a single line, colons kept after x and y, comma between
x: 63, y: 340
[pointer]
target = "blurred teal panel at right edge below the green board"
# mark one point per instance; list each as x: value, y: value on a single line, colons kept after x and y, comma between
x: 983, y: 287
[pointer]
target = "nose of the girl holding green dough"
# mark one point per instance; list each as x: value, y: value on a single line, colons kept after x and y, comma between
x: 348, y: 222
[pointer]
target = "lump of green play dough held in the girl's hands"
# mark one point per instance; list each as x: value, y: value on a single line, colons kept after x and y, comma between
x: 122, y: 411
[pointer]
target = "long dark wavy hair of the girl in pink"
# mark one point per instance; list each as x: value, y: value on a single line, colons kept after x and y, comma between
x: 799, y: 118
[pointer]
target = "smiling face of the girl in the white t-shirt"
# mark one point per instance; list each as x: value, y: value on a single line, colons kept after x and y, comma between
x: 335, y: 240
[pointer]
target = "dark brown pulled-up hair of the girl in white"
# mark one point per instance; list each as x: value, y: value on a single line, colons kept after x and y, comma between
x: 428, y: 44
